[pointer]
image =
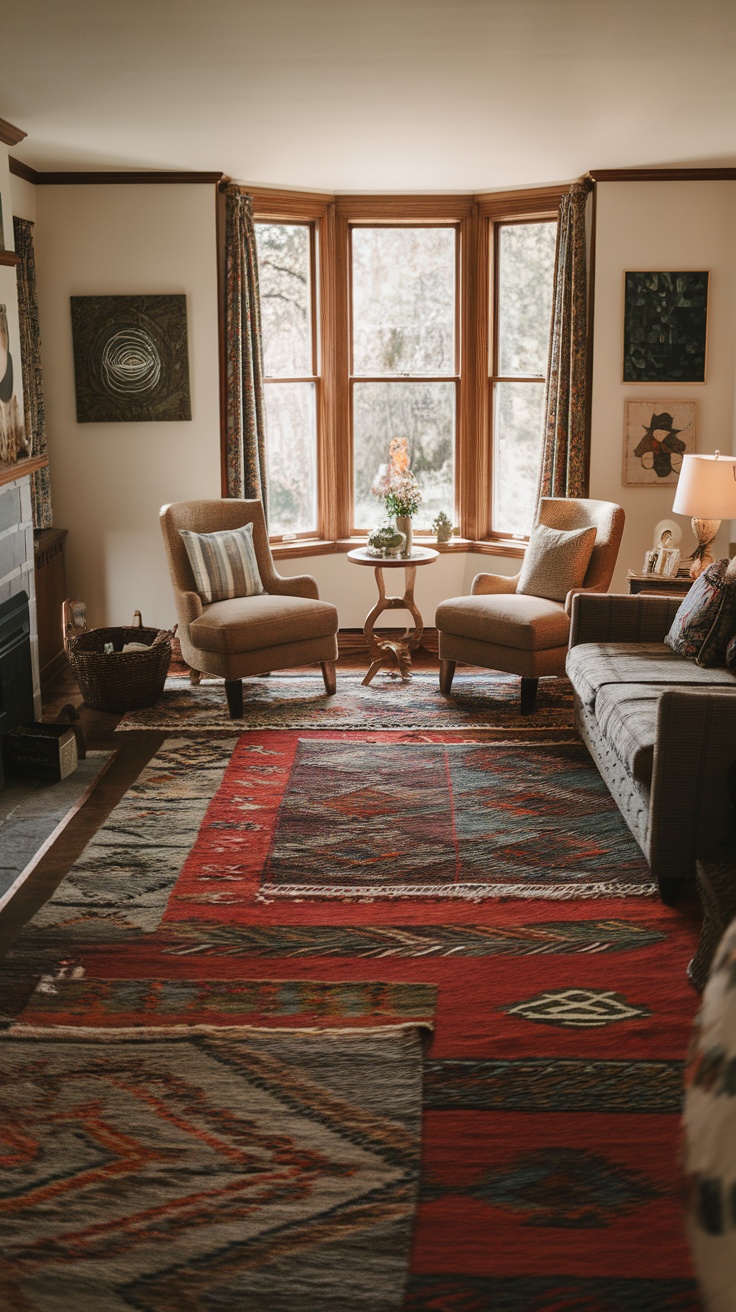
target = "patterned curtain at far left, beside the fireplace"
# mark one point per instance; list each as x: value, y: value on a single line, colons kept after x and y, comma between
x: 32, y: 372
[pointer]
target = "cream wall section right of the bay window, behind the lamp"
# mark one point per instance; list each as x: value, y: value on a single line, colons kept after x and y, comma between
x: 663, y: 226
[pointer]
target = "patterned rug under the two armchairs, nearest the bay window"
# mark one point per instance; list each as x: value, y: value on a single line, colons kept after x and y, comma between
x: 482, y: 701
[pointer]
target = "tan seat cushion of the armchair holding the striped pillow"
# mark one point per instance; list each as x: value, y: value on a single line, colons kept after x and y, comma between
x: 251, y: 624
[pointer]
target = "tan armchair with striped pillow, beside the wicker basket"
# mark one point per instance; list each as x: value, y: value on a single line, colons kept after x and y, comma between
x: 285, y: 626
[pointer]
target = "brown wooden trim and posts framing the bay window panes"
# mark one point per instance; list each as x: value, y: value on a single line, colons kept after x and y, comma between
x: 477, y: 218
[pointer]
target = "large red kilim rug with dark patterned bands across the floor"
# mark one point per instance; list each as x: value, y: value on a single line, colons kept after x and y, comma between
x: 553, y: 1086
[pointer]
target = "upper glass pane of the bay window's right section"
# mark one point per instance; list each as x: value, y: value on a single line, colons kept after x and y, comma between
x: 527, y: 262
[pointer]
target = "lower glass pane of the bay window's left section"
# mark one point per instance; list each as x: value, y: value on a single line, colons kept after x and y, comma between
x: 292, y: 453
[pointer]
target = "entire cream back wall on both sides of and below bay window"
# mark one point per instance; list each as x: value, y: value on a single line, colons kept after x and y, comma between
x: 110, y: 480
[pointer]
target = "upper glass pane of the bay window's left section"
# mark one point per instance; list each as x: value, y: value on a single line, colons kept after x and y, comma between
x: 284, y: 279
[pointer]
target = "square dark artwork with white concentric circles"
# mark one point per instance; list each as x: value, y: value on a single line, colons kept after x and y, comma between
x: 132, y: 360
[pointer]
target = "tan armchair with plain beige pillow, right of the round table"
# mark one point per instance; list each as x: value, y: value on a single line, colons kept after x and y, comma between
x: 501, y: 629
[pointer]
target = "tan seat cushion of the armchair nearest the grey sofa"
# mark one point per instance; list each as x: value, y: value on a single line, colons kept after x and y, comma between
x: 507, y: 620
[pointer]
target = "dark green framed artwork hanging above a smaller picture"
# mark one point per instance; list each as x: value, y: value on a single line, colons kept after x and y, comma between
x: 664, y: 327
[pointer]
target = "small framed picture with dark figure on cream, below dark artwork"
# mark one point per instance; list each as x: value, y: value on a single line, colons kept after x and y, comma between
x: 657, y: 436
